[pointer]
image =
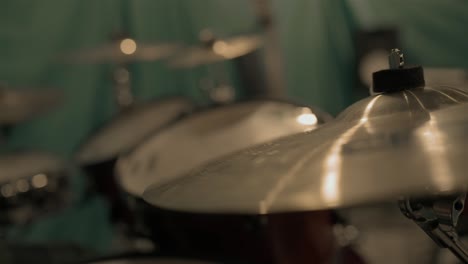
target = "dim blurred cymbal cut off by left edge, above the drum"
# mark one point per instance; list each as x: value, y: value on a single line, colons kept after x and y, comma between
x: 17, y: 105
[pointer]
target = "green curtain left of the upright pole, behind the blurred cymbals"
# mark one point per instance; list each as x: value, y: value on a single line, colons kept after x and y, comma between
x: 34, y: 33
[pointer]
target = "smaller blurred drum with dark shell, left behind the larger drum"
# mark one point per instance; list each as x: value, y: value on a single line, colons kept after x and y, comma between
x: 98, y: 154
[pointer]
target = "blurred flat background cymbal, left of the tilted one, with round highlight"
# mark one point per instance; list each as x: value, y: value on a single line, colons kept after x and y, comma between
x: 122, y: 51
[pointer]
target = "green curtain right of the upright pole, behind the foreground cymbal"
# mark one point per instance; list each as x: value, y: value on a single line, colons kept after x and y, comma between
x: 318, y: 46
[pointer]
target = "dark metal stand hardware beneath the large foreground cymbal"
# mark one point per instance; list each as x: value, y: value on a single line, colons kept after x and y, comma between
x: 438, y: 217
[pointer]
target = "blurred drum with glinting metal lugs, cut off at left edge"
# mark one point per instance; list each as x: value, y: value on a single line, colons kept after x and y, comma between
x: 31, y: 184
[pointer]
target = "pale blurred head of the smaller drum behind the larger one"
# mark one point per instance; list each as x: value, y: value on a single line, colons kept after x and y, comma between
x: 130, y: 128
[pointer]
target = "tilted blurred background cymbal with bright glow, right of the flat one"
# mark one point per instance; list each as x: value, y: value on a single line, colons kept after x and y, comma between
x: 216, y: 51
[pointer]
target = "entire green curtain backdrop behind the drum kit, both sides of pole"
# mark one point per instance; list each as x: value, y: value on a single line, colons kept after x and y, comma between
x: 316, y: 40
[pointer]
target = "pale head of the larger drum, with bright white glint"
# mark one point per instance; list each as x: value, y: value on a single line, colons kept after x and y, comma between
x: 208, y: 135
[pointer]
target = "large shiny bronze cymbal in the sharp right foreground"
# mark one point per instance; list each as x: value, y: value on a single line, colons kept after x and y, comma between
x: 379, y: 148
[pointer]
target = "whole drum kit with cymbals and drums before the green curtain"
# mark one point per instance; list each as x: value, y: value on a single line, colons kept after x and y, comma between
x: 264, y: 180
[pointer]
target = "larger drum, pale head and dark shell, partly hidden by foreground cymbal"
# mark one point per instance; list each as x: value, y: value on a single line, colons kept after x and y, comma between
x: 195, y: 140
